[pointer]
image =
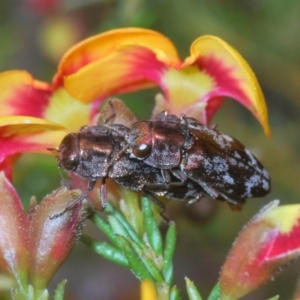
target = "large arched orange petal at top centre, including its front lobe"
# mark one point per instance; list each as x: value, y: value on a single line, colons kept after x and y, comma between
x: 115, y: 62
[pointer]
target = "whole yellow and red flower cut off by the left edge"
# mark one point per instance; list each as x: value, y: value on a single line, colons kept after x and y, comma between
x: 35, y: 116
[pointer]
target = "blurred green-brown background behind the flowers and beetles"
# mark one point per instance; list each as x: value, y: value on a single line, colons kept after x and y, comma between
x: 34, y: 34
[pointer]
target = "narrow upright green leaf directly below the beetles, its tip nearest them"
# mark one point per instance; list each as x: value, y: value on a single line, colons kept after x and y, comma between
x: 152, y: 230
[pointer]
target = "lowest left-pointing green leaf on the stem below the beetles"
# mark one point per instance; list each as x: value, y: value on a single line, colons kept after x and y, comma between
x: 107, y: 251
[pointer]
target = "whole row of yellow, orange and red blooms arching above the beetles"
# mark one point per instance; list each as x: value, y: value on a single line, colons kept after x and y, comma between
x: 114, y: 62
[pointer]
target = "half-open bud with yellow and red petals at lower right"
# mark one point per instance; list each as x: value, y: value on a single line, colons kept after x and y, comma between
x: 269, y: 242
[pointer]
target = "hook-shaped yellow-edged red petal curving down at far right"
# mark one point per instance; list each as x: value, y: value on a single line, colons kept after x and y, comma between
x: 232, y: 74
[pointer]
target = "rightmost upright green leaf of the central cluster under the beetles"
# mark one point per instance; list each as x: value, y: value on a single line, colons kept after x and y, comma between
x: 167, y: 270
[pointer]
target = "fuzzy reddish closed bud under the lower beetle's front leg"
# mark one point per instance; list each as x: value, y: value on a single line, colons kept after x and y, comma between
x: 51, y: 237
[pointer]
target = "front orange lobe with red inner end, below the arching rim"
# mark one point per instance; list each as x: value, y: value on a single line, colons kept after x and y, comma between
x: 126, y: 69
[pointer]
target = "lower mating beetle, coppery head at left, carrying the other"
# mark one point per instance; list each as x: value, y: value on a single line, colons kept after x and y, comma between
x: 96, y: 153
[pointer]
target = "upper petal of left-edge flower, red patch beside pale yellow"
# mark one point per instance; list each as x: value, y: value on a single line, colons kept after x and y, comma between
x: 22, y: 95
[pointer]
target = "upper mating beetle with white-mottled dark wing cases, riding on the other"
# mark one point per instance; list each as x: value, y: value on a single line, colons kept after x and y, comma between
x: 188, y: 150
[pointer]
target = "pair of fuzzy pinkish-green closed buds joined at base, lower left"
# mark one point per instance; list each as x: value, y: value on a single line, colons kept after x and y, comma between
x: 33, y: 245
